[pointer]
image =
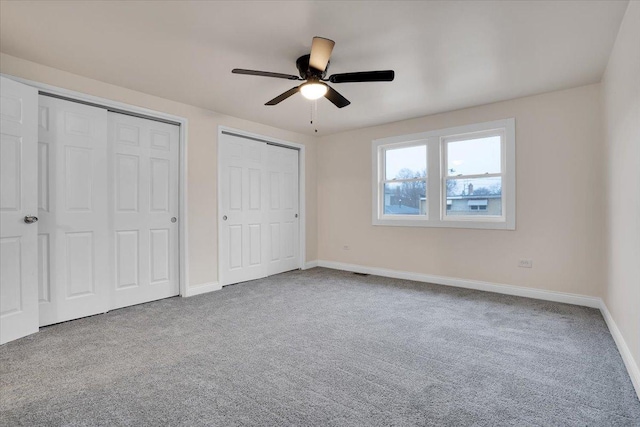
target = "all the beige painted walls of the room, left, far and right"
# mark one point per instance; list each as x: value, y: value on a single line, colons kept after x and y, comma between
x: 578, y: 216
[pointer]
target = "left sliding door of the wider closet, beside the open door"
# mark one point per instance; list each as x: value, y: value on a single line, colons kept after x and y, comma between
x: 73, y: 239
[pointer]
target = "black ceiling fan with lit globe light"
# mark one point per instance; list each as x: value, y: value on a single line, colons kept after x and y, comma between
x: 313, y: 68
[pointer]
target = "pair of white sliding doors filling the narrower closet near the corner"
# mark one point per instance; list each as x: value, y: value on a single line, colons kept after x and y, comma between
x: 258, y: 212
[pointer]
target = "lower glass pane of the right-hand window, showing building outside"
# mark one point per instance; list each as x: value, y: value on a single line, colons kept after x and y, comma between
x: 474, y: 197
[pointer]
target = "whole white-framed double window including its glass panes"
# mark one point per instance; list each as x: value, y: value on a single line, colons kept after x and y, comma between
x: 458, y: 177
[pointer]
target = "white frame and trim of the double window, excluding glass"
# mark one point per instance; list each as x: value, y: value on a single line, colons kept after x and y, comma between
x: 436, y: 204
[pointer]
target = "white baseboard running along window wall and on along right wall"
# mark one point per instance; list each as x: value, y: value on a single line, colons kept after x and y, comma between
x: 575, y: 299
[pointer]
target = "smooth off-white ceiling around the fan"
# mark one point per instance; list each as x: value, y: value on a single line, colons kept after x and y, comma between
x: 446, y: 55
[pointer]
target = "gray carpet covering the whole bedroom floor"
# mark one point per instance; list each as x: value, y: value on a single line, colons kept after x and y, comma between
x: 323, y: 348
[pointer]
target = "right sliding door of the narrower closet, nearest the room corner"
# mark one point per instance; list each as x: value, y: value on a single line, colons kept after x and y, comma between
x: 282, y: 209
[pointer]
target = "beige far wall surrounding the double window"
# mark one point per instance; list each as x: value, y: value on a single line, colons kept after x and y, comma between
x: 559, y: 200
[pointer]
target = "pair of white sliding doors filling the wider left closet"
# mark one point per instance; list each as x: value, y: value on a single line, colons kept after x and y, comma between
x: 108, y: 193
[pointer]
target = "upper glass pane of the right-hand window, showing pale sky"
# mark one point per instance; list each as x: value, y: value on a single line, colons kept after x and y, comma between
x: 474, y: 156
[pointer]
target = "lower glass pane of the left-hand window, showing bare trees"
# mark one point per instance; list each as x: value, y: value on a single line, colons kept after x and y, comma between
x: 405, y: 198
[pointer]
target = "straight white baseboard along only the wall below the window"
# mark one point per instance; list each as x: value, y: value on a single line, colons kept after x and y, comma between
x: 520, y: 291
